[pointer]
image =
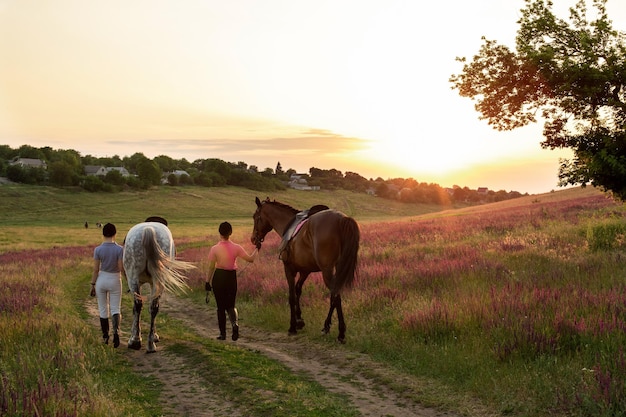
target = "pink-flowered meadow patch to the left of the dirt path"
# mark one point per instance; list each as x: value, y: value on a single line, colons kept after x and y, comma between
x: 38, y: 381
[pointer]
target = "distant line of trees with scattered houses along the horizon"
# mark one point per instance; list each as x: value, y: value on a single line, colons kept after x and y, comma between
x: 66, y: 168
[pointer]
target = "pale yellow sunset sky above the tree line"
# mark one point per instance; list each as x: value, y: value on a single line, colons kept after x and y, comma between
x: 354, y: 85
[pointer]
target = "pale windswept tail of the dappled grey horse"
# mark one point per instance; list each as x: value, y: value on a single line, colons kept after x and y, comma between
x: 163, y: 268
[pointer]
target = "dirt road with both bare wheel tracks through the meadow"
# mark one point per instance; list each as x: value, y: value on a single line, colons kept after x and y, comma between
x: 350, y: 374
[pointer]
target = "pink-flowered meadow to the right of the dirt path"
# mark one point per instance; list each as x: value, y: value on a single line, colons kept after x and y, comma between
x: 522, y: 306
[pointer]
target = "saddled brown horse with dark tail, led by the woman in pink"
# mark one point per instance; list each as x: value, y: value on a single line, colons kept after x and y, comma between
x: 327, y: 241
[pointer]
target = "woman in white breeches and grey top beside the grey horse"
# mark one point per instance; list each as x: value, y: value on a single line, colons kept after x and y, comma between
x: 106, y: 282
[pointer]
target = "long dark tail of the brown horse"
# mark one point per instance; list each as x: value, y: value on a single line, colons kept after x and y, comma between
x: 346, y: 269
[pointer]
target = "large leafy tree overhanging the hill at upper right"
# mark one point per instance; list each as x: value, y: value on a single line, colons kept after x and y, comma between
x: 571, y: 74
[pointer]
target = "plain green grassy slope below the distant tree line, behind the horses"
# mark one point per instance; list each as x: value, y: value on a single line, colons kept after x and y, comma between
x: 39, y: 217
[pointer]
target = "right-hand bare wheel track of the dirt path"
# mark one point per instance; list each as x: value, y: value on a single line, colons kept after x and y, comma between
x: 348, y: 373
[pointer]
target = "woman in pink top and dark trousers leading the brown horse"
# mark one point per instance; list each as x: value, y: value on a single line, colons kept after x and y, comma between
x: 222, y: 278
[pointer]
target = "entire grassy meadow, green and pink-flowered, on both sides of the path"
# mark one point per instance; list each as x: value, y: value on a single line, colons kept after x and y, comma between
x: 520, y: 305
